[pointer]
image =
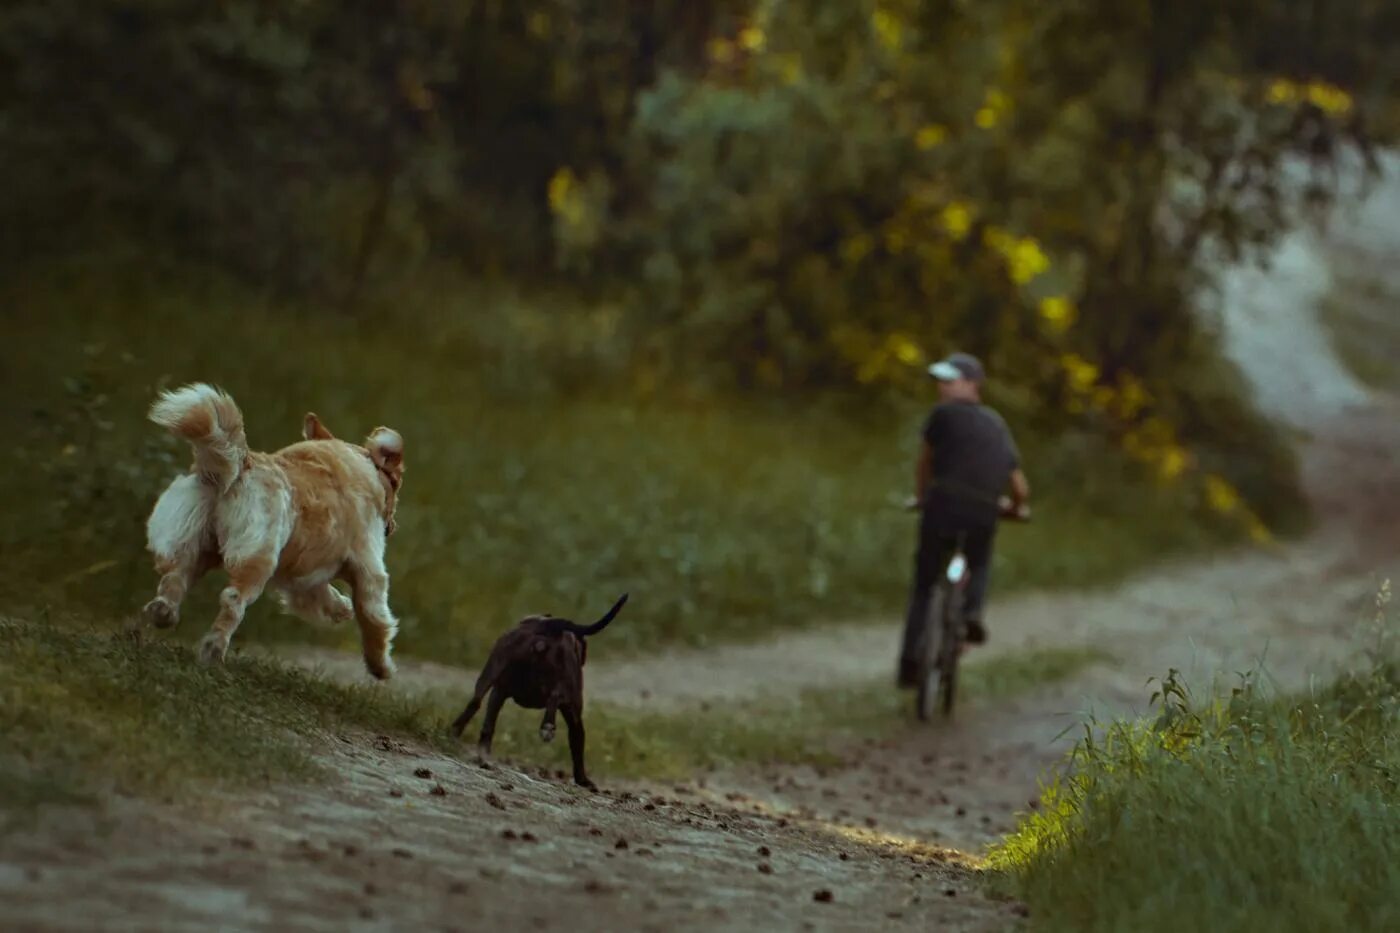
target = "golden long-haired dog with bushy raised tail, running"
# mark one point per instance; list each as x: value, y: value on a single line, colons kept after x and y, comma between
x: 295, y: 520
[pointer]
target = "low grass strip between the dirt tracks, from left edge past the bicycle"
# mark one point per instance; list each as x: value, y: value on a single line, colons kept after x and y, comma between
x: 89, y: 712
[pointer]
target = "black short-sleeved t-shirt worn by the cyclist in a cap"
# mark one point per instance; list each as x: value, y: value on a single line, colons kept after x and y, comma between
x: 974, y: 459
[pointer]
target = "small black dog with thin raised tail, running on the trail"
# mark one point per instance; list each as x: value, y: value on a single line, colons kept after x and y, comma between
x: 541, y: 666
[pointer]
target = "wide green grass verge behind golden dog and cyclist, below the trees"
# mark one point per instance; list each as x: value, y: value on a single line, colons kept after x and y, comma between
x: 530, y: 485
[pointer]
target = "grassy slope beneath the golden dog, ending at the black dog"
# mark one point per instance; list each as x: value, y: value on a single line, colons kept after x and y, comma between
x: 89, y: 711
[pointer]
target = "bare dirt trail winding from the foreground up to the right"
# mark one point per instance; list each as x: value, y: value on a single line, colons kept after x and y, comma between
x: 885, y: 834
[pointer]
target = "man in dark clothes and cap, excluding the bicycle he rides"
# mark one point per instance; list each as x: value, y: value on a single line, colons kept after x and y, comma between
x: 967, y: 462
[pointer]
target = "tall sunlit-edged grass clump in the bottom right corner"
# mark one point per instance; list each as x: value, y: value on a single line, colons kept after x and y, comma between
x: 1245, y: 812
